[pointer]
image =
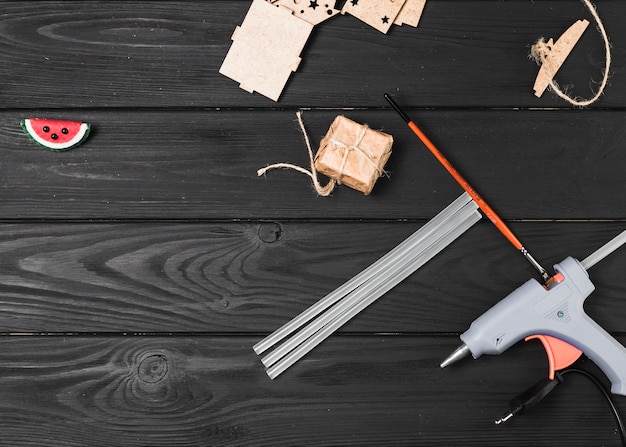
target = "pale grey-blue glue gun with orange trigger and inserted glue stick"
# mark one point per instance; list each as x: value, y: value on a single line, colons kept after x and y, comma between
x: 554, y: 310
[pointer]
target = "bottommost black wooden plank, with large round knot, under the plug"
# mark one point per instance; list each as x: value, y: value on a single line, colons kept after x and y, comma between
x: 137, y: 391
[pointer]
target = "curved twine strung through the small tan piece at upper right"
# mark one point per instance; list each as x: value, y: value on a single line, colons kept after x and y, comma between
x: 540, y: 51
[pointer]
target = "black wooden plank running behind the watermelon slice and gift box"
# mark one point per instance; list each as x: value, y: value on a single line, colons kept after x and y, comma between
x: 203, y: 164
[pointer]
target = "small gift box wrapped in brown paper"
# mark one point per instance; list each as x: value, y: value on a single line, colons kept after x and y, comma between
x: 353, y: 154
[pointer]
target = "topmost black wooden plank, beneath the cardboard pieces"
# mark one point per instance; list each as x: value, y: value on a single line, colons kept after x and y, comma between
x: 167, y: 54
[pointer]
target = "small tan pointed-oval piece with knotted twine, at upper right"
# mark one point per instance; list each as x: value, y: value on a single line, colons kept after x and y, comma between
x: 553, y: 54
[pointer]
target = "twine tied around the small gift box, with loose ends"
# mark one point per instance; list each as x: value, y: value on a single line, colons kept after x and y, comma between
x: 330, y: 186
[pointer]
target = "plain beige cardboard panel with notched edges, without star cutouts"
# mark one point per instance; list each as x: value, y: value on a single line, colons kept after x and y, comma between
x: 266, y: 49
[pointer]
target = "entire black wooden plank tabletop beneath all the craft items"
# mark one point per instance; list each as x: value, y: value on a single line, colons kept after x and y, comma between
x: 137, y: 271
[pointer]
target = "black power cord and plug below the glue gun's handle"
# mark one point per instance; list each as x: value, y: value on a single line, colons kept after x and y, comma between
x: 528, y: 399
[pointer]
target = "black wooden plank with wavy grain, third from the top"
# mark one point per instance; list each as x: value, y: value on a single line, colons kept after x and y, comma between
x: 242, y: 277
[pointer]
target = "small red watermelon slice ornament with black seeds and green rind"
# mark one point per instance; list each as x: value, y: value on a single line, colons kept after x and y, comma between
x: 56, y: 135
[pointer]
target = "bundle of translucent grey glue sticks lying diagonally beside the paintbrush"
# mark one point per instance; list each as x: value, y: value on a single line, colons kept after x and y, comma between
x: 339, y: 306
